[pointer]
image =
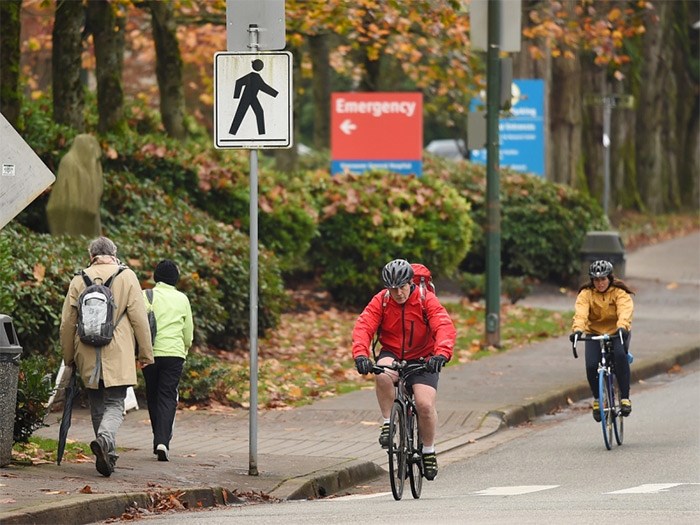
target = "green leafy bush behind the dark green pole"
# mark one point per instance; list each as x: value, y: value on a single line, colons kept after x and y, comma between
x: 542, y: 224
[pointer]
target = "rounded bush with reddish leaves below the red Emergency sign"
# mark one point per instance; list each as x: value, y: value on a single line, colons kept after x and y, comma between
x: 373, y: 218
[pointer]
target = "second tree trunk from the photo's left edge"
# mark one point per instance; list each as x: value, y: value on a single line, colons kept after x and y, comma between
x: 68, y: 96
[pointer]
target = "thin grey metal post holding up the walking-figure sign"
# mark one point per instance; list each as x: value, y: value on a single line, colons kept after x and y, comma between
x: 253, y: 427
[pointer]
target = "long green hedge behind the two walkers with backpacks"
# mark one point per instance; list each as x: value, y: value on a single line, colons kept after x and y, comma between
x: 147, y: 225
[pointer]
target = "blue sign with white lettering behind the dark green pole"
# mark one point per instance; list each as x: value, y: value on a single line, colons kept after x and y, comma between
x: 521, y: 134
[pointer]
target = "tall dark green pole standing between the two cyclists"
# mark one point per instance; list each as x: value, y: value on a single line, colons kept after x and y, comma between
x: 493, y: 206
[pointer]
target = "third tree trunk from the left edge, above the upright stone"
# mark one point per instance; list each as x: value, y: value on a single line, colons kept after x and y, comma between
x: 108, y: 32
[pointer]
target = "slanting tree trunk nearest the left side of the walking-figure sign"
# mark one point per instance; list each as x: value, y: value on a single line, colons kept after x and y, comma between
x: 168, y: 69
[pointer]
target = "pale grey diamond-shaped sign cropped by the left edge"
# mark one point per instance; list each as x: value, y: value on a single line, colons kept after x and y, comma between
x: 23, y: 176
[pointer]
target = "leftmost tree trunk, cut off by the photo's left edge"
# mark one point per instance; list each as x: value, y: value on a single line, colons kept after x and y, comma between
x: 10, y: 26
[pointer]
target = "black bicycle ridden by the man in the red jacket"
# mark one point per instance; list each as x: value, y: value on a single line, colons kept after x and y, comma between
x: 405, y: 444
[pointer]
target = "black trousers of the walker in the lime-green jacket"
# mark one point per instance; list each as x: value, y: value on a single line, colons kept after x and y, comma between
x: 162, y: 379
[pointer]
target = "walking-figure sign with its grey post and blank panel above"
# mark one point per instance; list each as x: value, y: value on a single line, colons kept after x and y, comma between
x: 248, y: 125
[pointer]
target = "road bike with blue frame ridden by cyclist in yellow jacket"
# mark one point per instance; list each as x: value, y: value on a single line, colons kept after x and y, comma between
x: 611, y: 418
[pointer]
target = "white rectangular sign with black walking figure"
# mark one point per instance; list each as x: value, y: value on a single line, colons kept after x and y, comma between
x: 253, y: 100
